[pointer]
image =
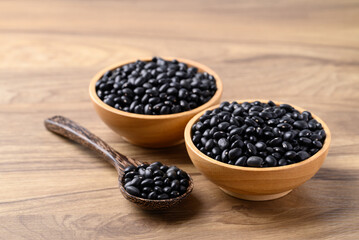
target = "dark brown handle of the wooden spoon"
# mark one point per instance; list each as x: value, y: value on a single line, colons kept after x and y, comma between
x: 71, y: 130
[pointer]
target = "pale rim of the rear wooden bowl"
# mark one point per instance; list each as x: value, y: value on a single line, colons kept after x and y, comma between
x: 202, y: 67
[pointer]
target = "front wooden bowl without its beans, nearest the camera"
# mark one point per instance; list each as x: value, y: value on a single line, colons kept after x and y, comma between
x: 256, y: 184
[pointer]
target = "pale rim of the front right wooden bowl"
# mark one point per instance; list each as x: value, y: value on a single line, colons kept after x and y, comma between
x: 190, y: 144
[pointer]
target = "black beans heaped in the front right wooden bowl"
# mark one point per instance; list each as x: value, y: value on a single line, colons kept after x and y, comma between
x: 258, y: 134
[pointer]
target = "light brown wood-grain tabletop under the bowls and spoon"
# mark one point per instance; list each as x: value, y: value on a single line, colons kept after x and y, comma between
x: 301, y: 52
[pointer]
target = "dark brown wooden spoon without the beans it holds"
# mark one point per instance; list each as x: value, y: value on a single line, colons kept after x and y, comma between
x: 71, y: 130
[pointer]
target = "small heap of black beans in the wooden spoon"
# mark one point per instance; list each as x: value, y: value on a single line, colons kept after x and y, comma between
x: 155, y: 181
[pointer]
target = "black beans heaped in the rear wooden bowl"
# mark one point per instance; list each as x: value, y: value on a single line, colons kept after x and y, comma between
x: 156, y: 87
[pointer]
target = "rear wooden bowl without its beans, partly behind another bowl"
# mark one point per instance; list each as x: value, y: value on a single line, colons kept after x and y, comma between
x: 153, y: 131
